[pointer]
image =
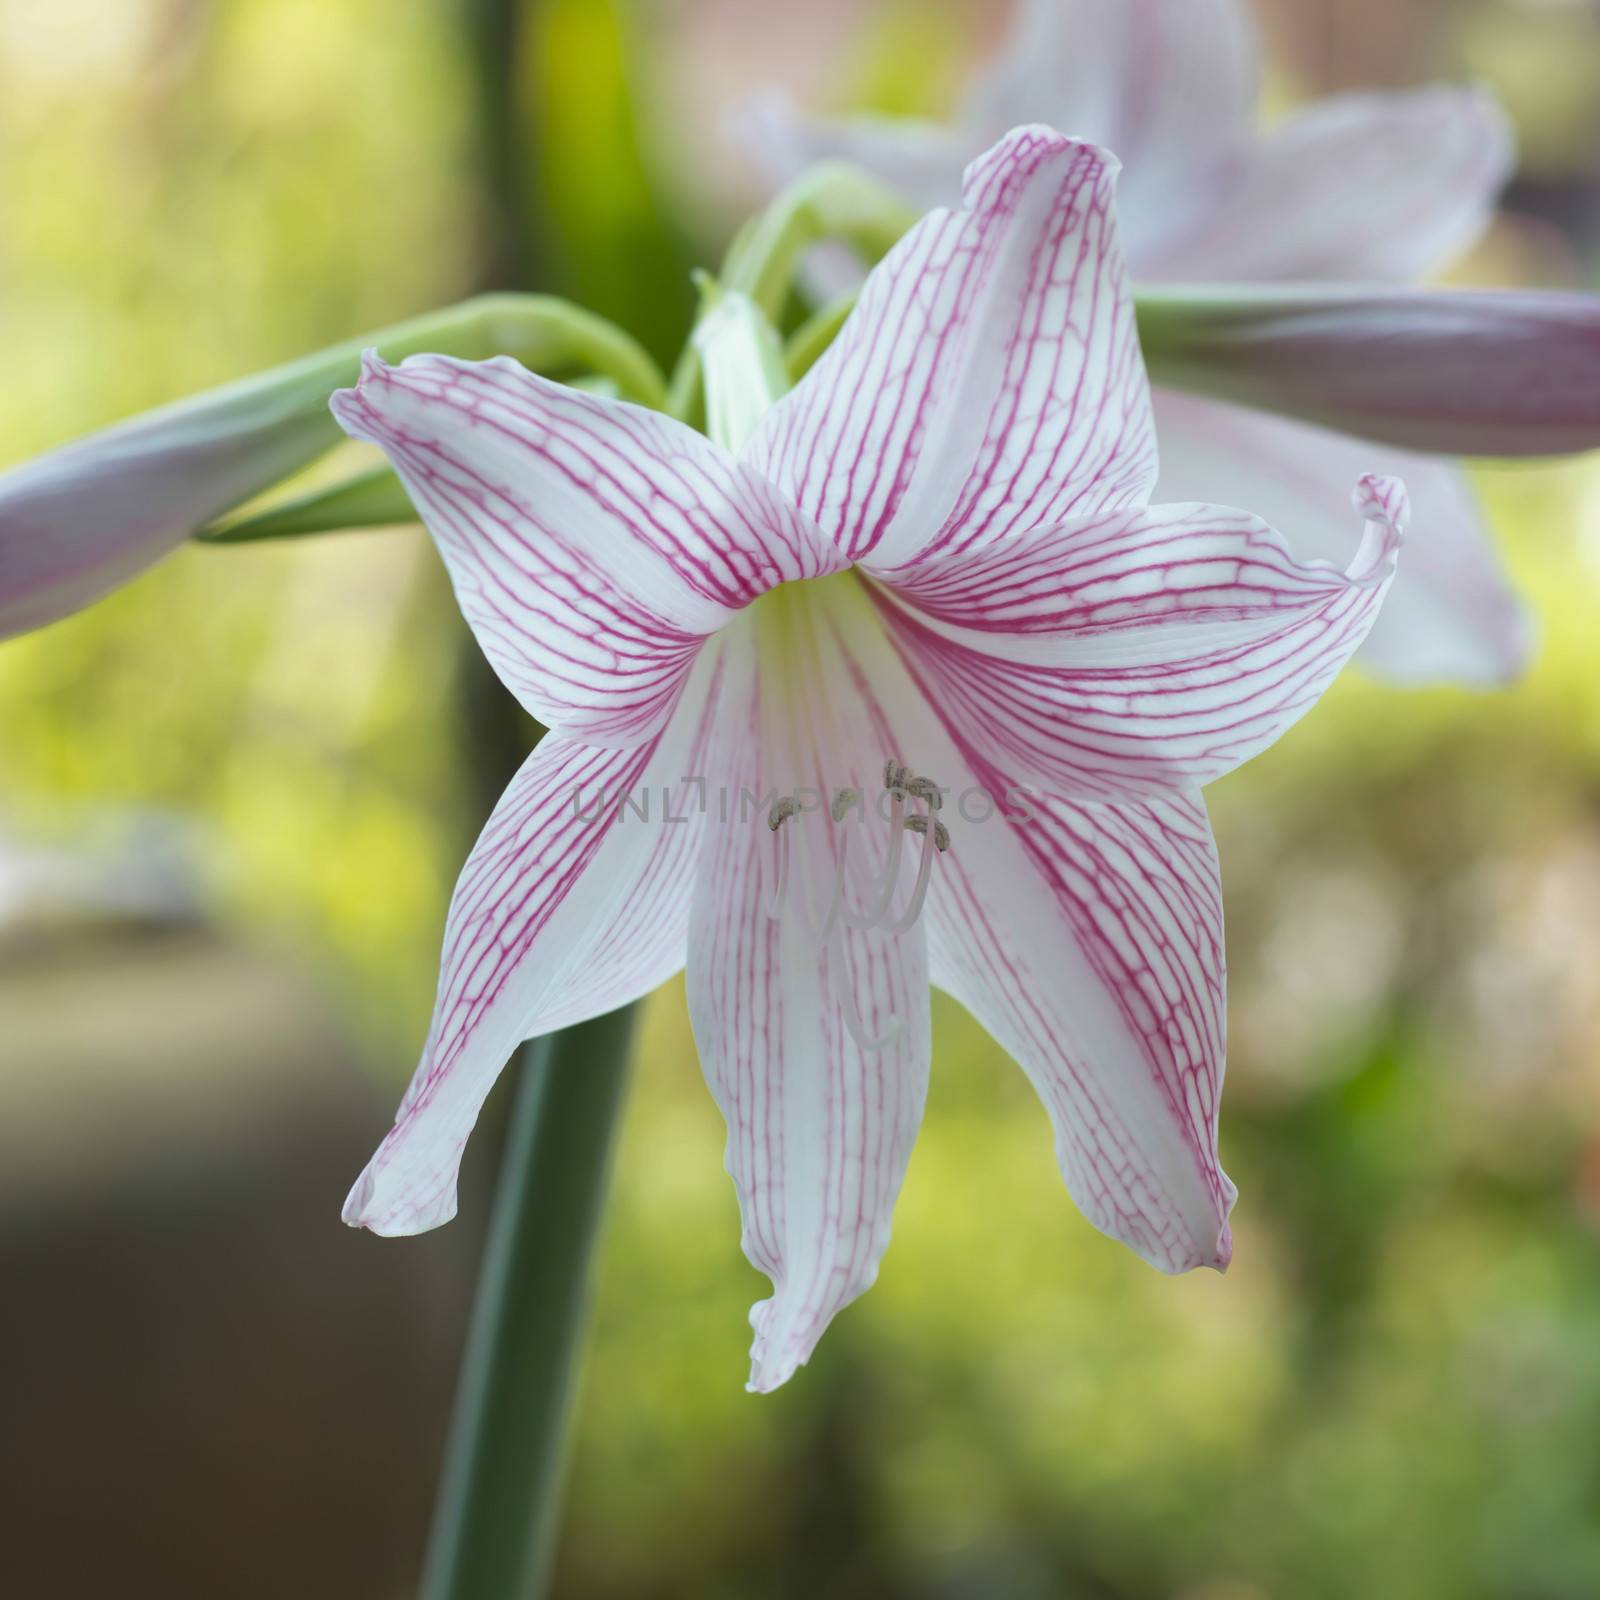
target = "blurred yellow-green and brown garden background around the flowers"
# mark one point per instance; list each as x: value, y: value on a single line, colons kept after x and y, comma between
x: 234, y: 798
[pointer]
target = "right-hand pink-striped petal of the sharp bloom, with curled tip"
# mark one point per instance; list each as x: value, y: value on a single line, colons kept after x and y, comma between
x: 1142, y: 652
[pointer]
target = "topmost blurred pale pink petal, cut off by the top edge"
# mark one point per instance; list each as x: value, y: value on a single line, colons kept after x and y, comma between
x: 1170, y: 86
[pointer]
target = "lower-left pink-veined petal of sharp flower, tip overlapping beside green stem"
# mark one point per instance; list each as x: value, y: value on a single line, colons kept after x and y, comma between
x: 570, y: 905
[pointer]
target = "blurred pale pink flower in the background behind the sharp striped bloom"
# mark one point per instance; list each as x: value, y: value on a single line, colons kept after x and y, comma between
x: 1362, y: 188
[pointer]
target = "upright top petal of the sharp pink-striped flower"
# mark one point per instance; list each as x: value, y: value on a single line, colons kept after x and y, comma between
x: 990, y: 378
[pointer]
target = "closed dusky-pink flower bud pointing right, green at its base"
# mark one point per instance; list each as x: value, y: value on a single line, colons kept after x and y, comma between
x: 1449, y: 372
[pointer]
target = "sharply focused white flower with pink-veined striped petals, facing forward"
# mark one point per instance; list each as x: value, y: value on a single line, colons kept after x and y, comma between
x: 938, y: 550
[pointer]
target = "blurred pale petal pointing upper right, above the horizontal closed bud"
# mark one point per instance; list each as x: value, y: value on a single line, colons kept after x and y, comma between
x: 1364, y: 186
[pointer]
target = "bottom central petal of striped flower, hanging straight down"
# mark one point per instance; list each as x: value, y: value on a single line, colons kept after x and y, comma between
x: 815, y: 1052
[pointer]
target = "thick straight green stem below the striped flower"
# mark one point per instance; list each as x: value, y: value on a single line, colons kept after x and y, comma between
x: 497, y: 1518
